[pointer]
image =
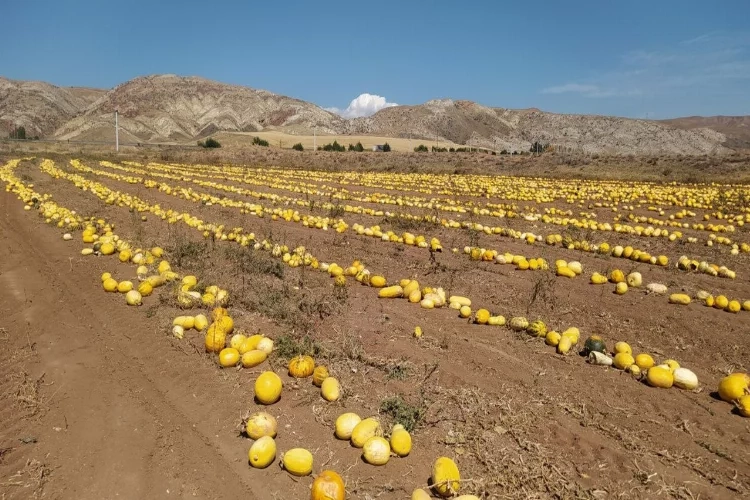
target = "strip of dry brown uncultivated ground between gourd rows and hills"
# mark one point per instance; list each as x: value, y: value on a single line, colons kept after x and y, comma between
x: 733, y: 168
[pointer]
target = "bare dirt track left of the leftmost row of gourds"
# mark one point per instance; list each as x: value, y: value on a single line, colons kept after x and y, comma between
x: 113, y: 422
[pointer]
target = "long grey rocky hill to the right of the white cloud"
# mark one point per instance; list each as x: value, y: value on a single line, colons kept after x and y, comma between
x: 469, y: 123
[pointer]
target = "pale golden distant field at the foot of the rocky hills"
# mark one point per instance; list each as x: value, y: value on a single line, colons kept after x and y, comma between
x: 283, y: 140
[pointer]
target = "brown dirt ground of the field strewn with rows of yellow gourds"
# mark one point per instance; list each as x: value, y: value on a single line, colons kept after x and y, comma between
x: 99, y: 400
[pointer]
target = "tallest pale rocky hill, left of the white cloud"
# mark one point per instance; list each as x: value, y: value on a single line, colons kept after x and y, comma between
x: 173, y: 108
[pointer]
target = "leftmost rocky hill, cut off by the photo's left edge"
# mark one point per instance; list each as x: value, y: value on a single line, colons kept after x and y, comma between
x: 40, y: 107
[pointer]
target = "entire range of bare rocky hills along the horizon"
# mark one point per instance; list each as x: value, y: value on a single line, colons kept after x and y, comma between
x: 170, y: 108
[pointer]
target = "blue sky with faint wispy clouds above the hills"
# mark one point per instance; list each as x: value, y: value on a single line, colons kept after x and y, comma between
x: 655, y: 59
